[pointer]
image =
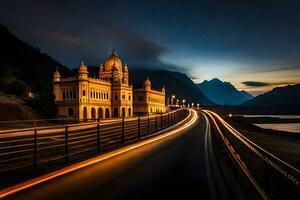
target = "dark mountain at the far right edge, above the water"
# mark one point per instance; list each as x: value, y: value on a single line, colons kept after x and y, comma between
x: 280, y: 96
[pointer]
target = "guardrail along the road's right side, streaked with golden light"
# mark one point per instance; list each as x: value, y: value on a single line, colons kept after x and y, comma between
x: 269, y: 176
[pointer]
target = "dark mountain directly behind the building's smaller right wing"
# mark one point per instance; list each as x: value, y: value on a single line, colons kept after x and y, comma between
x: 175, y: 83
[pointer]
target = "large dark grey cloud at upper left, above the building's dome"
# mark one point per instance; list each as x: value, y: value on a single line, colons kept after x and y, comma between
x: 73, y: 33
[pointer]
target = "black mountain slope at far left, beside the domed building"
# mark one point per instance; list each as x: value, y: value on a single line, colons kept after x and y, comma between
x: 25, y: 69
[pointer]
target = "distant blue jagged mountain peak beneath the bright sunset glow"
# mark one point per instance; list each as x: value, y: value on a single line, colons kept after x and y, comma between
x: 223, y: 93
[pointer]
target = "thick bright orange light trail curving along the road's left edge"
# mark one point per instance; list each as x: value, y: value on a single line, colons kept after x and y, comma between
x: 30, y: 183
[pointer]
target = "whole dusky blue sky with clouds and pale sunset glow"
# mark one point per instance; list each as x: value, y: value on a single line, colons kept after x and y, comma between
x: 253, y: 44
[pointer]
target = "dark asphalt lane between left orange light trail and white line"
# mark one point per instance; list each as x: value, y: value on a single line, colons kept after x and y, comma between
x: 172, y: 167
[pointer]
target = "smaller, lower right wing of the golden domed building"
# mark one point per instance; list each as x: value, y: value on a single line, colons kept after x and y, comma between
x: 147, y: 100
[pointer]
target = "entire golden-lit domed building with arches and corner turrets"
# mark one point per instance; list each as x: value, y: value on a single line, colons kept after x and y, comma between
x: 108, y: 95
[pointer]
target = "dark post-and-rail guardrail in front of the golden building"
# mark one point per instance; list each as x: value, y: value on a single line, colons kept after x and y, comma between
x: 33, y: 147
